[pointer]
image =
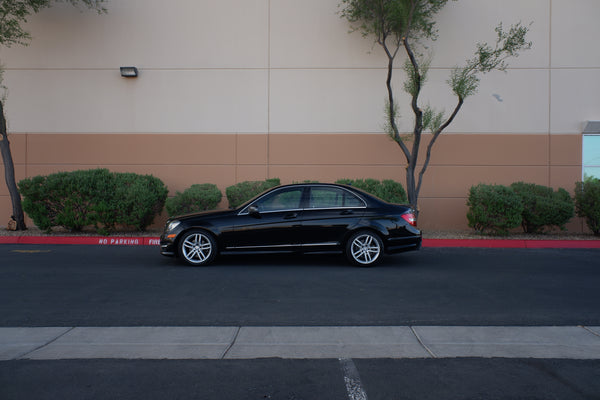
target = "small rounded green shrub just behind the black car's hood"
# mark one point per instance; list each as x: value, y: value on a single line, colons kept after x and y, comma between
x: 200, y: 197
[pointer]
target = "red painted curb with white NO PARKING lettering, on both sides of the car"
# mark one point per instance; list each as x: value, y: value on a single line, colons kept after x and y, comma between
x: 155, y: 241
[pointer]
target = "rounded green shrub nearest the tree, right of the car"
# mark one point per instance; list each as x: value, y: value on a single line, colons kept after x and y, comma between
x: 494, y: 209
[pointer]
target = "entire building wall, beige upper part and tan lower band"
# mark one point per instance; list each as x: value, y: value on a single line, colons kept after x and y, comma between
x: 234, y: 90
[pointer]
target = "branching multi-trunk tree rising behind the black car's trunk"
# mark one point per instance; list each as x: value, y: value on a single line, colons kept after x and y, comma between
x: 405, y: 27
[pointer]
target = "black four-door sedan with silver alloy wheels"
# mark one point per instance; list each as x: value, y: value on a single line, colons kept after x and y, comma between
x: 302, y: 218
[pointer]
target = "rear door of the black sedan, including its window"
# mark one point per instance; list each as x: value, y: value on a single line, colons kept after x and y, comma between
x: 329, y: 214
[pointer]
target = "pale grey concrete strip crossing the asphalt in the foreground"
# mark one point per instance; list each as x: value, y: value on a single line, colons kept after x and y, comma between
x: 52, y: 343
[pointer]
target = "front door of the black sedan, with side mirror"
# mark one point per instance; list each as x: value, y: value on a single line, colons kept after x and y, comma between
x: 270, y: 223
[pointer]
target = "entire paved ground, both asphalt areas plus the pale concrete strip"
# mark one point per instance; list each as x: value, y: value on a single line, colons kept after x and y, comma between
x: 122, y: 322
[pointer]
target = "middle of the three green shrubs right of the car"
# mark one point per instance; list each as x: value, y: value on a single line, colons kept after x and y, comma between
x: 543, y: 207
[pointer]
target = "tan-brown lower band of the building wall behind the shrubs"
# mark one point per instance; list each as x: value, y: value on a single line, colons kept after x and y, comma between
x: 180, y: 160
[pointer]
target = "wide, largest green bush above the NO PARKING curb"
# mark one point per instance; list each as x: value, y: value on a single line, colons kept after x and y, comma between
x: 98, y: 198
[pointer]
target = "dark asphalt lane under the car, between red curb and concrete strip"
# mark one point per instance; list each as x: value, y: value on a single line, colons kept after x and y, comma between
x: 62, y: 285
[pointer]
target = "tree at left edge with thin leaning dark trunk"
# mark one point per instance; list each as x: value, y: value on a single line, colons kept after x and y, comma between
x: 13, y: 19
